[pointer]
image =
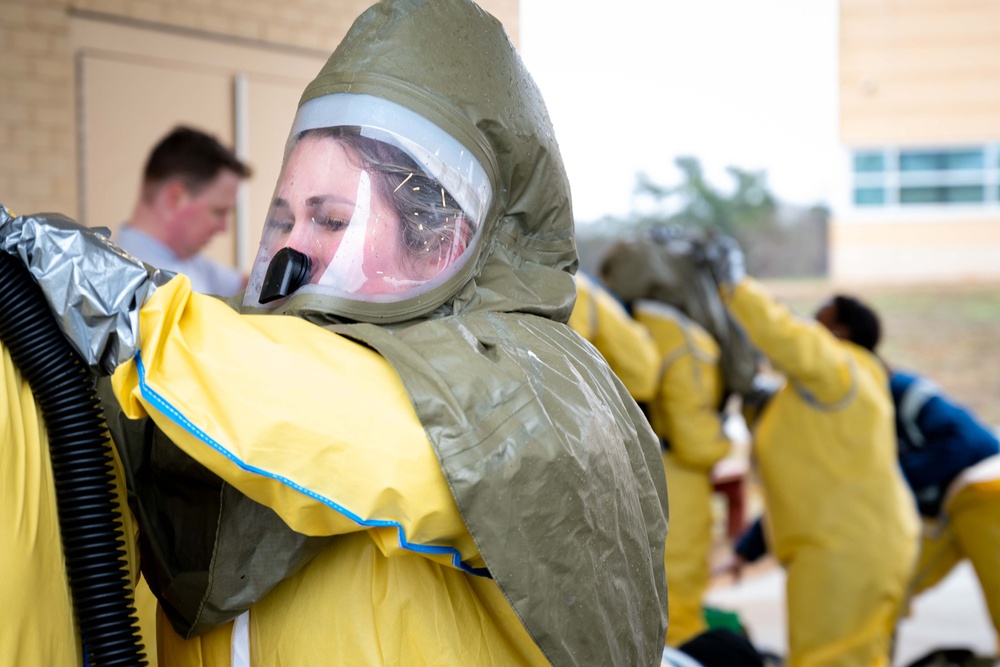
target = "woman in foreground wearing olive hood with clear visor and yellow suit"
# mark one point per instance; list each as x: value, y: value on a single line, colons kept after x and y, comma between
x: 390, y: 449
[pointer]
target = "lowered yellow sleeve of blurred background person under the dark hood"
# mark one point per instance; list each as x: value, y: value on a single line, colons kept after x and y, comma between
x: 686, y: 409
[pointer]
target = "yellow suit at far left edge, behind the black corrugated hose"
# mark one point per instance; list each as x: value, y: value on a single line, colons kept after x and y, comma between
x: 37, y: 622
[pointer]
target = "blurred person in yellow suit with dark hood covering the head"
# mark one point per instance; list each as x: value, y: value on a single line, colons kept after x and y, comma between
x: 685, y: 411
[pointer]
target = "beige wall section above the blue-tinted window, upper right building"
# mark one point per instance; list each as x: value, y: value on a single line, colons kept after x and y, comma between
x: 919, y: 71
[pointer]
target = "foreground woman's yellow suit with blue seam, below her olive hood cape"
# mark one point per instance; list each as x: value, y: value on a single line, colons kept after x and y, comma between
x: 374, y: 481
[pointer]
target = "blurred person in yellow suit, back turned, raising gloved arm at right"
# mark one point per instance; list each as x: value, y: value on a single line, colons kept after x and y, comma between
x: 839, y: 516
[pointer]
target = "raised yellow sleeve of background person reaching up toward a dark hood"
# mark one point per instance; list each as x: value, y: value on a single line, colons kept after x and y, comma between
x: 805, y: 351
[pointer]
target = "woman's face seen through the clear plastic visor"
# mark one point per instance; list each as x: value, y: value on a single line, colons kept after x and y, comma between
x: 326, y: 207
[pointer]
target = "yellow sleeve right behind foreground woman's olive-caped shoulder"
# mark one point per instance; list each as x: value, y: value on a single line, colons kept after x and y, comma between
x: 624, y: 343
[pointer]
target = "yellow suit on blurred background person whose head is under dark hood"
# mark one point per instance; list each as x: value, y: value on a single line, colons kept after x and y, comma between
x: 685, y: 413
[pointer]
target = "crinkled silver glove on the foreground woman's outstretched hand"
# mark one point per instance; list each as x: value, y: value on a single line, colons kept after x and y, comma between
x: 94, y: 288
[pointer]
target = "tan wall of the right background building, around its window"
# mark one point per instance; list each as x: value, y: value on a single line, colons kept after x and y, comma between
x: 919, y: 74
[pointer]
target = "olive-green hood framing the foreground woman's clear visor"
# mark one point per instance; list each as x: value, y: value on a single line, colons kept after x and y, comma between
x: 451, y: 64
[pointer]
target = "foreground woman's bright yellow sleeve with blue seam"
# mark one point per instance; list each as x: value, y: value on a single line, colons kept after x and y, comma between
x: 302, y: 420
